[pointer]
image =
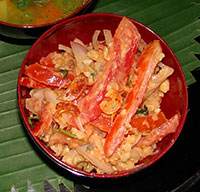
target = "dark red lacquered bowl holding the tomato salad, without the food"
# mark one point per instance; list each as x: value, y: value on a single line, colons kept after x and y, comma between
x: 83, y: 27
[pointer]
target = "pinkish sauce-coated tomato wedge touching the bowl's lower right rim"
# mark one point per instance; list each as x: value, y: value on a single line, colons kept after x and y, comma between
x: 160, y: 132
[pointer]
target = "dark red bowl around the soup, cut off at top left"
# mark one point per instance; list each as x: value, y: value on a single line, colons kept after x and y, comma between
x: 34, y: 31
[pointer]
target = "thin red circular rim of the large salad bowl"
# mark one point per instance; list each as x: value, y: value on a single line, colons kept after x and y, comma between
x: 74, y: 170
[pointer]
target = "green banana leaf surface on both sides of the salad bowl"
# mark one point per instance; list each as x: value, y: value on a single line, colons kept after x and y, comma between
x: 20, y: 162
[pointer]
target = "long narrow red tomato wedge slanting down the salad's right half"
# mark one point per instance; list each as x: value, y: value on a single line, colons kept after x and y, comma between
x: 144, y: 70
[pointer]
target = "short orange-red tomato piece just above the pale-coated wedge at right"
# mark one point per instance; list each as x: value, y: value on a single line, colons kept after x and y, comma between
x: 147, y: 123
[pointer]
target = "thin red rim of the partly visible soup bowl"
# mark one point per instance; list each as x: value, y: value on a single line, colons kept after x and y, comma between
x: 48, y: 24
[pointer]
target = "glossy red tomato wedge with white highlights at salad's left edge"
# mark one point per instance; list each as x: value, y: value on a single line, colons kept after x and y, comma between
x: 47, y: 76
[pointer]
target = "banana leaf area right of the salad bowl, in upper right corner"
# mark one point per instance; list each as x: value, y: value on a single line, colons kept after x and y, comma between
x: 176, y: 22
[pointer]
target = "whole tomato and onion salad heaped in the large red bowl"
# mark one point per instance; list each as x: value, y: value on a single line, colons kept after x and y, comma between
x: 97, y: 105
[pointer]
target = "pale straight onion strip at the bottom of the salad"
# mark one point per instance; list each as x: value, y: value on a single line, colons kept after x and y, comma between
x: 103, y: 166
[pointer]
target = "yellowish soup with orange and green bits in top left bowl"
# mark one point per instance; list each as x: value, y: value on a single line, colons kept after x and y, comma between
x: 37, y: 12
